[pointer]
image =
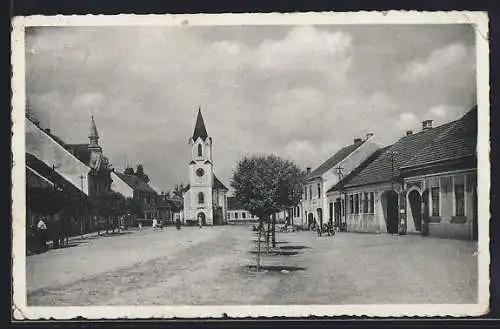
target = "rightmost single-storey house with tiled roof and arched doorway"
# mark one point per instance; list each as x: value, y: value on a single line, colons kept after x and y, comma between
x: 440, y: 183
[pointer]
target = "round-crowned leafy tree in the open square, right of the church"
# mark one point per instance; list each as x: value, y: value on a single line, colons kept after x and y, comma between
x: 264, y: 185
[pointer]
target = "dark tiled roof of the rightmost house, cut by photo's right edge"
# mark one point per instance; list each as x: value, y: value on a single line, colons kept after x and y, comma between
x: 458, y: 142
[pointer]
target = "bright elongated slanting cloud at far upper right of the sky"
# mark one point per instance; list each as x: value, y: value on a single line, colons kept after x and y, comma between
x: 440, y: 60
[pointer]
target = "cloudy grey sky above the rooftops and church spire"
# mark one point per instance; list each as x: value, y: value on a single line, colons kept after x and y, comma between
x: 301, y: 92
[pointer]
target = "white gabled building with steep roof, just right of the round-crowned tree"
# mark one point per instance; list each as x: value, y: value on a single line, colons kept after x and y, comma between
x: 315, y: 206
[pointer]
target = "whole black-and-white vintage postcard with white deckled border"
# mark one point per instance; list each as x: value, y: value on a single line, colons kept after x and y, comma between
x: 251, y: 165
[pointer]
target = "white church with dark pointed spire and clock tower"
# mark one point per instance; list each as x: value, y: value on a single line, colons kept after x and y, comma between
x: 206, y: 197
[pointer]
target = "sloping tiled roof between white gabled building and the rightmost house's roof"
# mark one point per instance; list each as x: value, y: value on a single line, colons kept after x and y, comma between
x: 383, y: 169
